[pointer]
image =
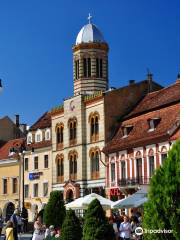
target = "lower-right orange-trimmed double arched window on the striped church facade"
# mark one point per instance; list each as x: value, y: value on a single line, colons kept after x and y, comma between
x: 94, y: 158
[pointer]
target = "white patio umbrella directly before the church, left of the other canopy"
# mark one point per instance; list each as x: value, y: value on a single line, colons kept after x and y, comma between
x: 83, y: 202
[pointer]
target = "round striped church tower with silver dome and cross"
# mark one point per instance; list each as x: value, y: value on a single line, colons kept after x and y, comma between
x: 90, y: 61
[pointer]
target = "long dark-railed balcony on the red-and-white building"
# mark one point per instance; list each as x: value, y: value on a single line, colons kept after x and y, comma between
x: 133, y: 182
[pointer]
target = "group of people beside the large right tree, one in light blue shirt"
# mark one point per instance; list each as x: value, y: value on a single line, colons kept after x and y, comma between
x: 124, y: 227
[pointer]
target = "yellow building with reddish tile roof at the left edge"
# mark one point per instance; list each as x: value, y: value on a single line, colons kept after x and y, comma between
x: 10, y: 177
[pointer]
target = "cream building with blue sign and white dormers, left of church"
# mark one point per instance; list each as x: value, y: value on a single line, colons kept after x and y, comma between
x: 38, y: 166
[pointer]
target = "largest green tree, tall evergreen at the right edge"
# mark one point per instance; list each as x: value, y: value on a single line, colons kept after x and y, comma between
x: 162, y: 211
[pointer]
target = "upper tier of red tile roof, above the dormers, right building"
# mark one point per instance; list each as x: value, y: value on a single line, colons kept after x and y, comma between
x: 158, y: 99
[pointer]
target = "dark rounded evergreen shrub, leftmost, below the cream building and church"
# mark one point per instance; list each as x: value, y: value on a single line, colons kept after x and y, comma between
x: 54, y: 212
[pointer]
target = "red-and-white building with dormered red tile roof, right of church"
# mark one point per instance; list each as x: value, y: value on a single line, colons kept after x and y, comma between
x: 142, y: 142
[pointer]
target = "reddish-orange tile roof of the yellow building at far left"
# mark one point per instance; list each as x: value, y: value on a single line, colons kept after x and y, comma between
x: 4, y: 150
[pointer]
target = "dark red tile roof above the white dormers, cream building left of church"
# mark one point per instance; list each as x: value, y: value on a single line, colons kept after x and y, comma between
x: 43, y: 122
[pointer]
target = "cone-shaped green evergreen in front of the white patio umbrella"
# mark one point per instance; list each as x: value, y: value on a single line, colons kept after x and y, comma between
x: 96, y: 226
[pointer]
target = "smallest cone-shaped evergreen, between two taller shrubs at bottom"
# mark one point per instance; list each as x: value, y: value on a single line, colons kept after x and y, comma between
x: 71, y: 228
